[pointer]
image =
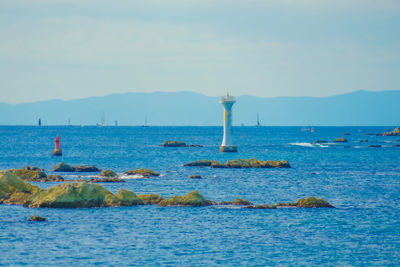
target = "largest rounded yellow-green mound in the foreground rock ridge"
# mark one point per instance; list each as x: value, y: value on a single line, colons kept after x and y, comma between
x: 74, y: 195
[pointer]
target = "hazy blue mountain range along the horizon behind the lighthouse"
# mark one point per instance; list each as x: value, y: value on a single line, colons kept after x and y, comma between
x: 187, y: 108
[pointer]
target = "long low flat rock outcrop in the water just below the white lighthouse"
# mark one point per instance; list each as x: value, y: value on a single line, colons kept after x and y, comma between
x: 241, y: 163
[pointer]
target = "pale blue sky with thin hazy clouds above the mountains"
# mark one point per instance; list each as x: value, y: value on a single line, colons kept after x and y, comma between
x: 59, y: 49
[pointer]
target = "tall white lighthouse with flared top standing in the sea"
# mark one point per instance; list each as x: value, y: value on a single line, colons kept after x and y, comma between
x: 227, y: 145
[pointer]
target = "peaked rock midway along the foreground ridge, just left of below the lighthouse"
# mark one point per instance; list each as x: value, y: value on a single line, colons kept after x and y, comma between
x: 192, y: 199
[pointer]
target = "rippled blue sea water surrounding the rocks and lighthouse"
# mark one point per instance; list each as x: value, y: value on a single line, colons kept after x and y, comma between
x: 362, y: 182
